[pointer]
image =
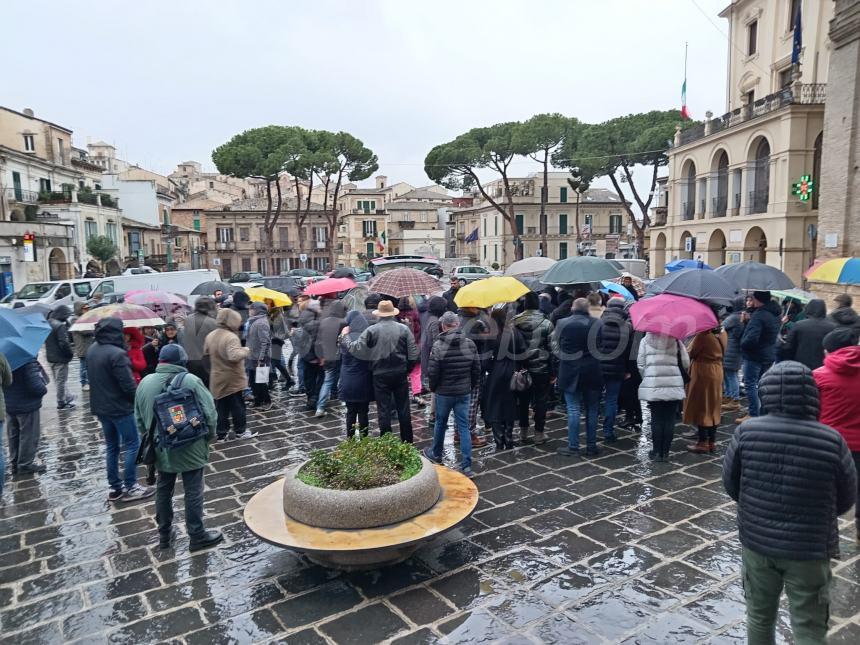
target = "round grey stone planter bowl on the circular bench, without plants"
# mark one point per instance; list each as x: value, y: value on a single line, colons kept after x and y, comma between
x: 361, y: 509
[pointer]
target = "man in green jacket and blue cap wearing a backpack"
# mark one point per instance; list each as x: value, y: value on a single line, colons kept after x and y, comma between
x: 187, y: 459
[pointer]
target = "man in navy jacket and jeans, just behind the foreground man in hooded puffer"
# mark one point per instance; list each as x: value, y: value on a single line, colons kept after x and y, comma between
x: 758, y: 346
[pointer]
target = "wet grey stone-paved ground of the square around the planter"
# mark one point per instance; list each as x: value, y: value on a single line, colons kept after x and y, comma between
x: 612, y: 549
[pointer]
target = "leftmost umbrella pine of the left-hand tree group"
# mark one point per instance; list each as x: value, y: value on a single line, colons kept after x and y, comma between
x: 261, y: 153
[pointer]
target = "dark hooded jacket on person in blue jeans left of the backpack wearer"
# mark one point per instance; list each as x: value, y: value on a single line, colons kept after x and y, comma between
x: 112, y: 383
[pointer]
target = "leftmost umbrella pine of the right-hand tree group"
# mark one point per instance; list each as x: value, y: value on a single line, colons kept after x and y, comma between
x: 456, y: 165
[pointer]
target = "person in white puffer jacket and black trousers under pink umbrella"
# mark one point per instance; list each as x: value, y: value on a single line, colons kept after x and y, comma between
x: 661, y: 359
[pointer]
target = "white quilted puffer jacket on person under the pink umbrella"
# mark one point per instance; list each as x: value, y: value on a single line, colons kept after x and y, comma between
x: 658, y: 364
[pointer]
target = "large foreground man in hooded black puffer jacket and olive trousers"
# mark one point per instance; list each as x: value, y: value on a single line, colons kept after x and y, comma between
x: 791, y: 477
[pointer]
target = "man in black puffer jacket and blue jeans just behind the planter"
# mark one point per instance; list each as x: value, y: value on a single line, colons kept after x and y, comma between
x: 453, y: 372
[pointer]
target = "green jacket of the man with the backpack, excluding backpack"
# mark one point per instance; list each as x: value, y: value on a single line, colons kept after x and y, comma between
x: 193, y: 456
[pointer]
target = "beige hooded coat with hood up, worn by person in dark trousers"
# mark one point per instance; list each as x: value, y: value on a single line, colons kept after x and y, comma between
x: 226, y: 355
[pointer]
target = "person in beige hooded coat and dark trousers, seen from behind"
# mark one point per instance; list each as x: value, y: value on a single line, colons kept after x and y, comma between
x: 228, y: 379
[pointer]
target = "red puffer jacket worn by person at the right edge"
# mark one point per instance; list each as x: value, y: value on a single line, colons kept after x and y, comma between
x: 838, y: 383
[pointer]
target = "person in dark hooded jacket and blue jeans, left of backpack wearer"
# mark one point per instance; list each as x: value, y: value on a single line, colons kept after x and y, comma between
x: 112, y: 401
